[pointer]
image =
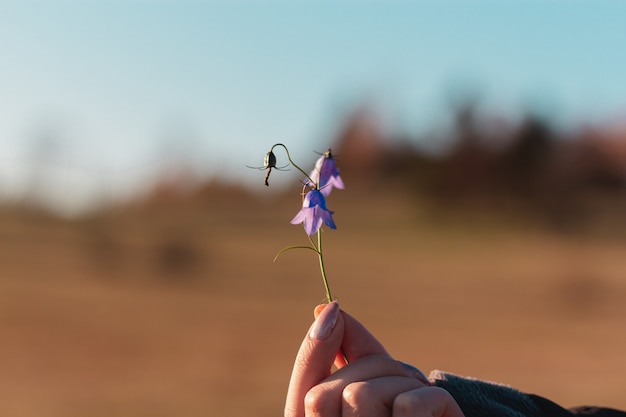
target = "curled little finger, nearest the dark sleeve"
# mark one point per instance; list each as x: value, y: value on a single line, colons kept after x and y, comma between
x: 426, y: 402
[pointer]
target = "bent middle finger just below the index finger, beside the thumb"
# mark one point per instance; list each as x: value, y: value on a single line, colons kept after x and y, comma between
x: 325, y: 398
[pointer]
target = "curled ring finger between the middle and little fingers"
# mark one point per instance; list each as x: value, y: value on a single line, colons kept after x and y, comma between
x: 374, y: 397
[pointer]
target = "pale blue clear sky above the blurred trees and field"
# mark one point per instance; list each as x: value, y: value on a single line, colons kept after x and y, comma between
x: 120, y: 87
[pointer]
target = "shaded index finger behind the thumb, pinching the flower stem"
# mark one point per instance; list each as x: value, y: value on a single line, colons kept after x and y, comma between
x: 358, y: 342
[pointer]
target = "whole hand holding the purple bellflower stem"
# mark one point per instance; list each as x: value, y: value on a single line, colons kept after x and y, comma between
x: 371, y: 384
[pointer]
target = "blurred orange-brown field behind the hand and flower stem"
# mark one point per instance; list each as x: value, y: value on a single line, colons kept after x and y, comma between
x: 175, y: 307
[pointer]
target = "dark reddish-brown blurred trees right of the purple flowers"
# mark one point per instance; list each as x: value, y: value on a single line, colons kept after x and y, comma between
x: 569, y: 180
